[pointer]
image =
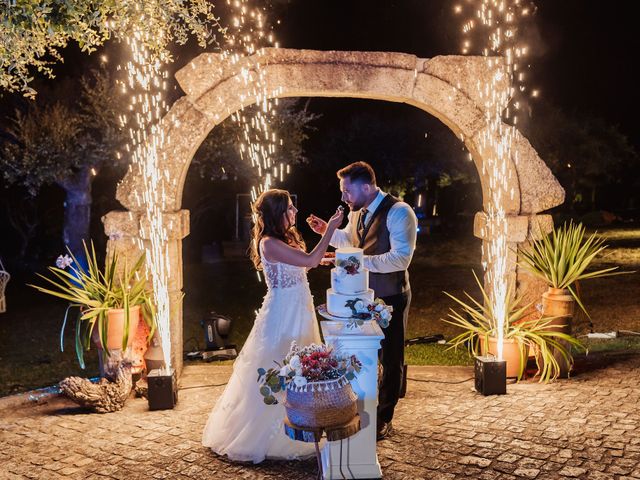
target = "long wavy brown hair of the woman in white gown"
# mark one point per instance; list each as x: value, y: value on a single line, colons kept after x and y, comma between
x: 269, y: 221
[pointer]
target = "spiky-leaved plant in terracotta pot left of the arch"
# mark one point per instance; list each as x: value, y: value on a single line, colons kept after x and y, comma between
x: 111, y: 302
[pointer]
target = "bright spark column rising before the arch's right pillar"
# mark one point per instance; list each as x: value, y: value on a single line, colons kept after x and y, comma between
x: 498, y: 19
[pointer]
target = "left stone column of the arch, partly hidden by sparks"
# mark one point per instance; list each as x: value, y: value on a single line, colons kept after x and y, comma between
x: 125, y: 230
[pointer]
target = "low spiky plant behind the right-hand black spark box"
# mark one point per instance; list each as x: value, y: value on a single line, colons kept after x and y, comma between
x: 479, y: 321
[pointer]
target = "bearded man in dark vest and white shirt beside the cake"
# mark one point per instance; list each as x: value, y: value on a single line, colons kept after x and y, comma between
x: 385, y: 228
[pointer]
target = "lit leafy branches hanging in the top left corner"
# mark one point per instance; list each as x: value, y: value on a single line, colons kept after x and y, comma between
x: 33, y: 31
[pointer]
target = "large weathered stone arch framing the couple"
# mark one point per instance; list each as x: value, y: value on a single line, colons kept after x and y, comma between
x: 444, y: 86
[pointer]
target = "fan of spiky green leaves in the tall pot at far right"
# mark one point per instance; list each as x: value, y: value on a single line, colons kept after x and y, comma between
x: 562, y: 257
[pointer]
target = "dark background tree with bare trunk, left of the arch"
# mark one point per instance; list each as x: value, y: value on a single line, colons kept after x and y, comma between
x: 54, y: 143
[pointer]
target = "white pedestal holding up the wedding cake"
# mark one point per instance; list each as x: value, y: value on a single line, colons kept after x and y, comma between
x: 358, y: 452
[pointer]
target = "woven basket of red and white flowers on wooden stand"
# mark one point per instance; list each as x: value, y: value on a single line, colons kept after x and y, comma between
x: 317, y: 387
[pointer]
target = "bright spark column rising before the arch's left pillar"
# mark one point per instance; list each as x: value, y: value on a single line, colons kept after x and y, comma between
x: 151, y: 26
